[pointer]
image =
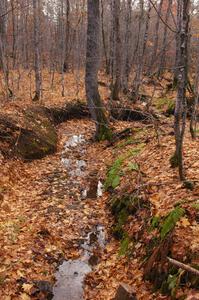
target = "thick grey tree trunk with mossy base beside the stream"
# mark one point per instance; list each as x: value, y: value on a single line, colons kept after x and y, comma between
x: 92, y: 65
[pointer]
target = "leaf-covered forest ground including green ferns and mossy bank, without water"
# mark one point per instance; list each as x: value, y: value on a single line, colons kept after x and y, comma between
x: 147, y: 212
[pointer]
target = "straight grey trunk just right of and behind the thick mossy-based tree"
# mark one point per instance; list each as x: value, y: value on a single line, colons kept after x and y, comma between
x: 116, y: 29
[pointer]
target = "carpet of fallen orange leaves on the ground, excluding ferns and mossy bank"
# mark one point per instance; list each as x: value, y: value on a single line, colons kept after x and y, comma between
x: 44, y: 218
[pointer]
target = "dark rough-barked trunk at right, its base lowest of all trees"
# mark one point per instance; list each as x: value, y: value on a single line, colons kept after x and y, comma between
x: 181, y: 105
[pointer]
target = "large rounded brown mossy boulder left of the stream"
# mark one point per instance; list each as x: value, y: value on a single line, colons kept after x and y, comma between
x: 34, y: 137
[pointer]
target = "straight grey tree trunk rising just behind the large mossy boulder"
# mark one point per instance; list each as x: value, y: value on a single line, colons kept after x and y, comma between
x: 37, y: 63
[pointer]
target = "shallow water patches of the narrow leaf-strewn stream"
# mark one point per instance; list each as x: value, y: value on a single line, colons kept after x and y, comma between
x: 71, y: 273
